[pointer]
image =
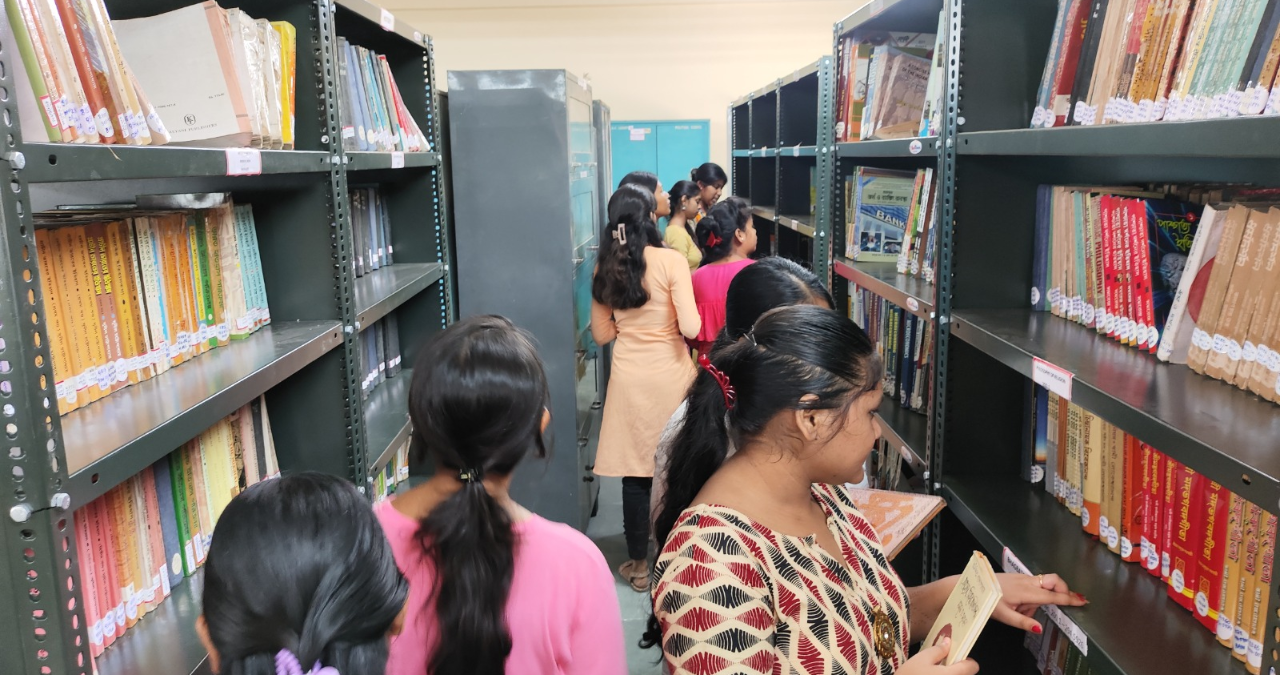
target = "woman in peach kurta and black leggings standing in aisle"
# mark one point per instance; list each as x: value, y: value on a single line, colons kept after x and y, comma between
x: 643, y: 298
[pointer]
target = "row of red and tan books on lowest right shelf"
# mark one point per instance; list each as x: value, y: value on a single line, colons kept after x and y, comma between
x: 1213, y: 549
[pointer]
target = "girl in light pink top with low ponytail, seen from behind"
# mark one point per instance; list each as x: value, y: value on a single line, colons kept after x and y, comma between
x: 493, y: 589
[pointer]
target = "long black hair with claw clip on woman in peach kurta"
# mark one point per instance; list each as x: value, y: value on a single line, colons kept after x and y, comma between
x: 619, y: 281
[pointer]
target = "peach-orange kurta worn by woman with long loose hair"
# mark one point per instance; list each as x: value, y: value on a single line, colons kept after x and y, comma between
x: 652, y: 367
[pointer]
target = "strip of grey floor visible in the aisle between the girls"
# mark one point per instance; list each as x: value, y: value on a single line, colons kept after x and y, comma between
x: 606, y: 531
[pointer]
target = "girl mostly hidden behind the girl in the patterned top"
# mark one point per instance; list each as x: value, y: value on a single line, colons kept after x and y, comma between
x: 771, y: 282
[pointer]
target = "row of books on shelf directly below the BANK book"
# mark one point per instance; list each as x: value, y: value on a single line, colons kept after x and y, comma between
x: 904, y: 343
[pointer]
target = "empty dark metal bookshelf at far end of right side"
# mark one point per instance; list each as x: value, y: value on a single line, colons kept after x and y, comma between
x: 783, y: 157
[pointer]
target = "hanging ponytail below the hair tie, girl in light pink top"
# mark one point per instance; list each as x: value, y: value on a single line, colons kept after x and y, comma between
x: 472, y: 541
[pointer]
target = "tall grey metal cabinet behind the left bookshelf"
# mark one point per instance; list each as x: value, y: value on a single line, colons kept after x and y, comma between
x: 527, y: 203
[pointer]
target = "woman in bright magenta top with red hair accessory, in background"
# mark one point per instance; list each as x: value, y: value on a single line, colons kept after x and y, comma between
x: 728, y: 238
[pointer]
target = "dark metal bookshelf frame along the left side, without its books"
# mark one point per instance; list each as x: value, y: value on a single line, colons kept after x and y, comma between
x: 305, y: 362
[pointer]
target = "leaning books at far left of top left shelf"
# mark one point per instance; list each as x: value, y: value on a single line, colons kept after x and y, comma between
x: 79, y: 80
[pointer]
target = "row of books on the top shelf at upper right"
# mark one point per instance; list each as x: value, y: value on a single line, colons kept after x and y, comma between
x: 1148, y: 61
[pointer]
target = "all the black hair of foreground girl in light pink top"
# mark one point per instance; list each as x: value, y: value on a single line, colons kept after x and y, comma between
x: 477, y: 403
